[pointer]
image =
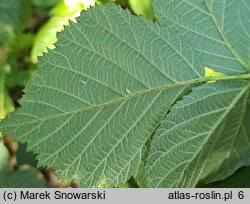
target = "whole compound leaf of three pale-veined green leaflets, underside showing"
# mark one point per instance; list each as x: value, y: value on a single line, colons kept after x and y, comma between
x: 113, y: 80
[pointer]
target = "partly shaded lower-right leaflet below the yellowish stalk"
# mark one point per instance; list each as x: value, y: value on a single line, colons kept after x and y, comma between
x: 201, y: 132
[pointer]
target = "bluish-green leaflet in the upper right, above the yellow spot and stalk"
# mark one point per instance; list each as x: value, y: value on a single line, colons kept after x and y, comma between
x: 219, y: 30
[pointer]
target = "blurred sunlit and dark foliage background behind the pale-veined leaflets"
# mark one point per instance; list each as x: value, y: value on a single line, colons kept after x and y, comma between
x: 27, y: 29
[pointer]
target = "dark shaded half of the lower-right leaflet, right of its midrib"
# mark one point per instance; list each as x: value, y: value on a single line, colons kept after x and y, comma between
x: 232, y: 148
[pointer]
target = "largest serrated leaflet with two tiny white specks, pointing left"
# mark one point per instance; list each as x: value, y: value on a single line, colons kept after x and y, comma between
x: 90, y: 109
